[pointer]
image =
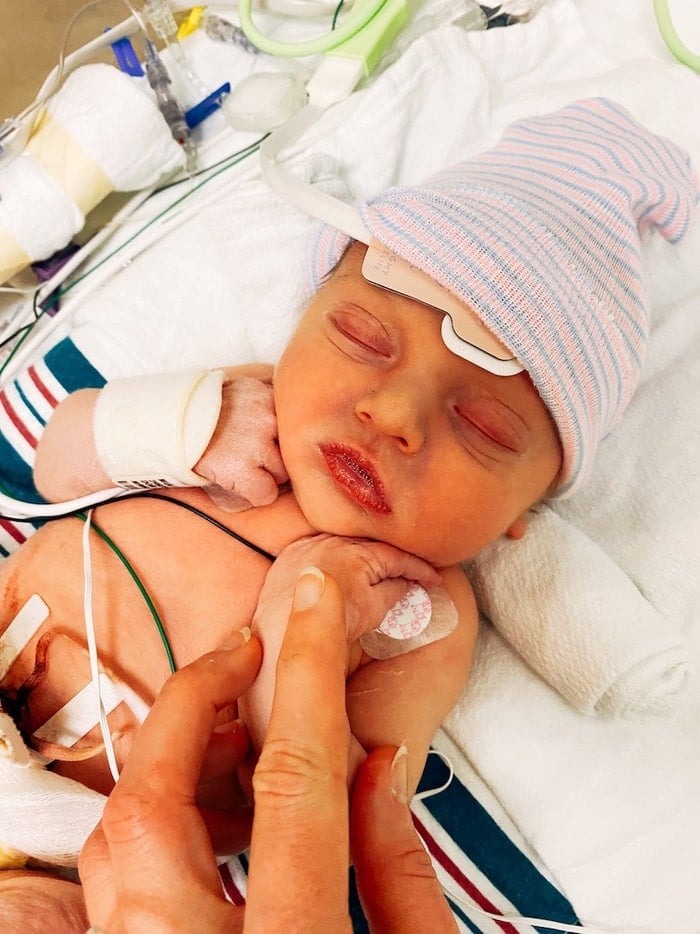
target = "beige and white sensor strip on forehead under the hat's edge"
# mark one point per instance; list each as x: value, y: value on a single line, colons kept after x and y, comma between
x: 461, y: 330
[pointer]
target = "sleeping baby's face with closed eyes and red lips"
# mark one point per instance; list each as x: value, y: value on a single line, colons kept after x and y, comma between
x: 386, y: 434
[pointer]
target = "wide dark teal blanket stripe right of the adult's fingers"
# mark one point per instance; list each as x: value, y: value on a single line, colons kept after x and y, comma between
x: 476, y: 833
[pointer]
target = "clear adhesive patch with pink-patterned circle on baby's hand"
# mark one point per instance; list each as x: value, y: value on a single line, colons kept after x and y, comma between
x: 419, y: 618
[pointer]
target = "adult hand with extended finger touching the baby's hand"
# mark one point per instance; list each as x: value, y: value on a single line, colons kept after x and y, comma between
x: 149, y: 867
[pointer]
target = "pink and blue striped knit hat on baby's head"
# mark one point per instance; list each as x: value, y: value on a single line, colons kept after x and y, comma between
x: 541, y: 236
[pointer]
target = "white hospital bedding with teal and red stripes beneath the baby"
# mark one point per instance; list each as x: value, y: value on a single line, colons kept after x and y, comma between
x: 557, y: 811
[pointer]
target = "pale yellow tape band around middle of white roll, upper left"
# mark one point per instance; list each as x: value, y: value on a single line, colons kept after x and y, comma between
x: 64, y: 160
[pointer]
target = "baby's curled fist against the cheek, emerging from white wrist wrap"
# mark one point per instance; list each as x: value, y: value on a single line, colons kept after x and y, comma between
x: 243, y: 460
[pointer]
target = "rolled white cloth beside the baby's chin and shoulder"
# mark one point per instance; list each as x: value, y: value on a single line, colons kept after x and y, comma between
x: 579, y: 621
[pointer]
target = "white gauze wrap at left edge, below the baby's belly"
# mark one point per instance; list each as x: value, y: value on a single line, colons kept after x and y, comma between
x: 42, y: 815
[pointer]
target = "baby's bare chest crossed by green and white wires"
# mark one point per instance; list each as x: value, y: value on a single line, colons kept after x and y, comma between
x: 154, y: 600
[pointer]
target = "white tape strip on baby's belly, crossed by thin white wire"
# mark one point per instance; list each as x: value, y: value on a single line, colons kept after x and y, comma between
x: 79, y: 715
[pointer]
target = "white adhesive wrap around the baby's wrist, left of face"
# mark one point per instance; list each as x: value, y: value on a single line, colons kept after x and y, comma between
x: 150, y: 431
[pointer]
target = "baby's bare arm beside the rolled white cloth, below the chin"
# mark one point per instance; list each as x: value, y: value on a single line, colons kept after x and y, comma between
x: 403, y: 700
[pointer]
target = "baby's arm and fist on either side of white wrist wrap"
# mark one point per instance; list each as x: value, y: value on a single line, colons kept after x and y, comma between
x: 241, y: 454
